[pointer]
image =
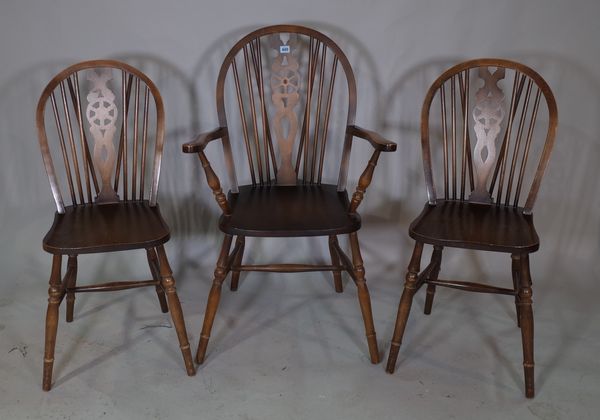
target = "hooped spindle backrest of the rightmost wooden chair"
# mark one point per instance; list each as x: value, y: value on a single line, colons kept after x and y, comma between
x: 495, y: 138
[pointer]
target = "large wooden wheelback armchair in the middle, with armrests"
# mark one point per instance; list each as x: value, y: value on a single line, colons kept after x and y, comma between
x: 283, y: 81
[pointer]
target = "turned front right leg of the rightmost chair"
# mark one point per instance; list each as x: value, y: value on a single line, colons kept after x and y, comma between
x: 525, y: 302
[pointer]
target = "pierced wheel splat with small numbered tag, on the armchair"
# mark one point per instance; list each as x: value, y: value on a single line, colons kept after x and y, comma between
x: 285, y: 84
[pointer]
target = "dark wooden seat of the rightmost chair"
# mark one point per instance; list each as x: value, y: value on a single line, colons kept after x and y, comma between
x: 475, y: 226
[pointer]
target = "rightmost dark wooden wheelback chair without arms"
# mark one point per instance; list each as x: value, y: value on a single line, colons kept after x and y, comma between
x: 494, y: 144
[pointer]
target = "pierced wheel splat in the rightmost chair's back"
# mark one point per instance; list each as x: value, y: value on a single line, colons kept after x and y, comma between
x: 488, y: 114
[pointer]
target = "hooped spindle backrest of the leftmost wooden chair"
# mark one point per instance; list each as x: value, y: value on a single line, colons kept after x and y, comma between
x: 106, y: 131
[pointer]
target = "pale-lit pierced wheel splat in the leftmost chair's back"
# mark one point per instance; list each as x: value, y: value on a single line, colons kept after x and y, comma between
x: 101, y: 114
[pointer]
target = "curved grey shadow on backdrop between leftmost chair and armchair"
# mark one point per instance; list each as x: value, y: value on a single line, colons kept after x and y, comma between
x: 184, y: 199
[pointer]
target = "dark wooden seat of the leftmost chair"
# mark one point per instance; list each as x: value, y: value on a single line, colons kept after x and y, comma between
x: 117, y: 227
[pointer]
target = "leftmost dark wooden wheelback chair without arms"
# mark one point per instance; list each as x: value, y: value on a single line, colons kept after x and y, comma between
x: 112, y: 184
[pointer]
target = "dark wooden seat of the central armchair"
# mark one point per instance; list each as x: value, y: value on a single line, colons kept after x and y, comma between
x: 300, y: 210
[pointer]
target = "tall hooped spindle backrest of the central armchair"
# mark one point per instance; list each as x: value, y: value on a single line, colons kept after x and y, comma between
x: 283, y: 78
